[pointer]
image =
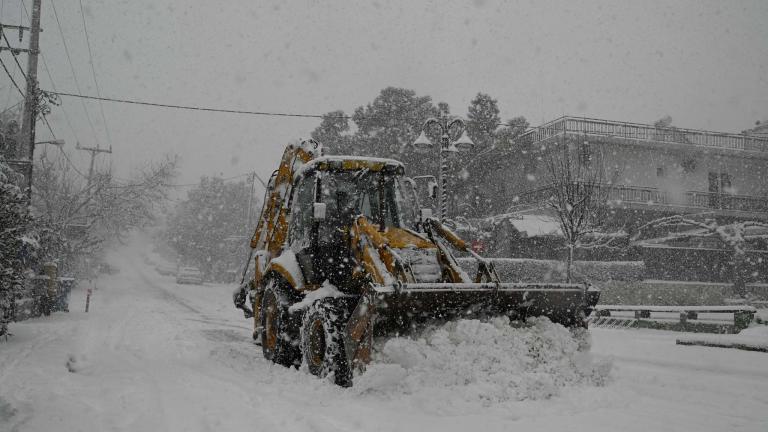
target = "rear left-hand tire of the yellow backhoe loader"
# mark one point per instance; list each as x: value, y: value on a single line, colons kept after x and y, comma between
x: 280, y: 331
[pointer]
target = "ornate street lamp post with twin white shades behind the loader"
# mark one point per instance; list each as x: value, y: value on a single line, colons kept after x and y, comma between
x: 447, y: 148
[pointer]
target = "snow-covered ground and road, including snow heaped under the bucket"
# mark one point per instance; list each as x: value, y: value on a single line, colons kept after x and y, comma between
x: 155, y: 356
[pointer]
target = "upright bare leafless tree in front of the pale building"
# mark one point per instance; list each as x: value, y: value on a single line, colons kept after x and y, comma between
x: 578, y: 196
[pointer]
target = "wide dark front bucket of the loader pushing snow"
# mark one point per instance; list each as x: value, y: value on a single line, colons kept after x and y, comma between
x: 398, y: 309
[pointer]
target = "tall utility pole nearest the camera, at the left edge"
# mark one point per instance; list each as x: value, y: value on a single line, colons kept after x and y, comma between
x: 27, y: 147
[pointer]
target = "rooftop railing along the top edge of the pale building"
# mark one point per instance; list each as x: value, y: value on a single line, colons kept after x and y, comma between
x: 643, y: 132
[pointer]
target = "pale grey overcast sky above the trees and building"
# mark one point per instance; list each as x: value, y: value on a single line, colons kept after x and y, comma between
x: 705, y: 63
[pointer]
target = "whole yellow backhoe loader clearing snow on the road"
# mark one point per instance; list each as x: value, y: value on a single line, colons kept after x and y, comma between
x: 341, y: 253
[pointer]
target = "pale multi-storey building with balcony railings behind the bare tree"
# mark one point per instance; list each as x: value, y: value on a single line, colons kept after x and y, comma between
x: 652, y: 171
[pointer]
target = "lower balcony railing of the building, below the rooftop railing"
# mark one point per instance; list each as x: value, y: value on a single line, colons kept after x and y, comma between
x: 617, y: 194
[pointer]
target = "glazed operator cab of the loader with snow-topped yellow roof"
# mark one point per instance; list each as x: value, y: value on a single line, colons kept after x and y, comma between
x: 328, y: 195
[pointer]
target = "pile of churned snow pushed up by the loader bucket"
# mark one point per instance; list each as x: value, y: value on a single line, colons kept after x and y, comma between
x: 486, y: 362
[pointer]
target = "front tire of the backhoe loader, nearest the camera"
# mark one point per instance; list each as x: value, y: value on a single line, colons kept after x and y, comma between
x: 322, y: 340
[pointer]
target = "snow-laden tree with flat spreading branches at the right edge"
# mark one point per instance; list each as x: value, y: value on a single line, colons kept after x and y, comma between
x: 733, y: 235
